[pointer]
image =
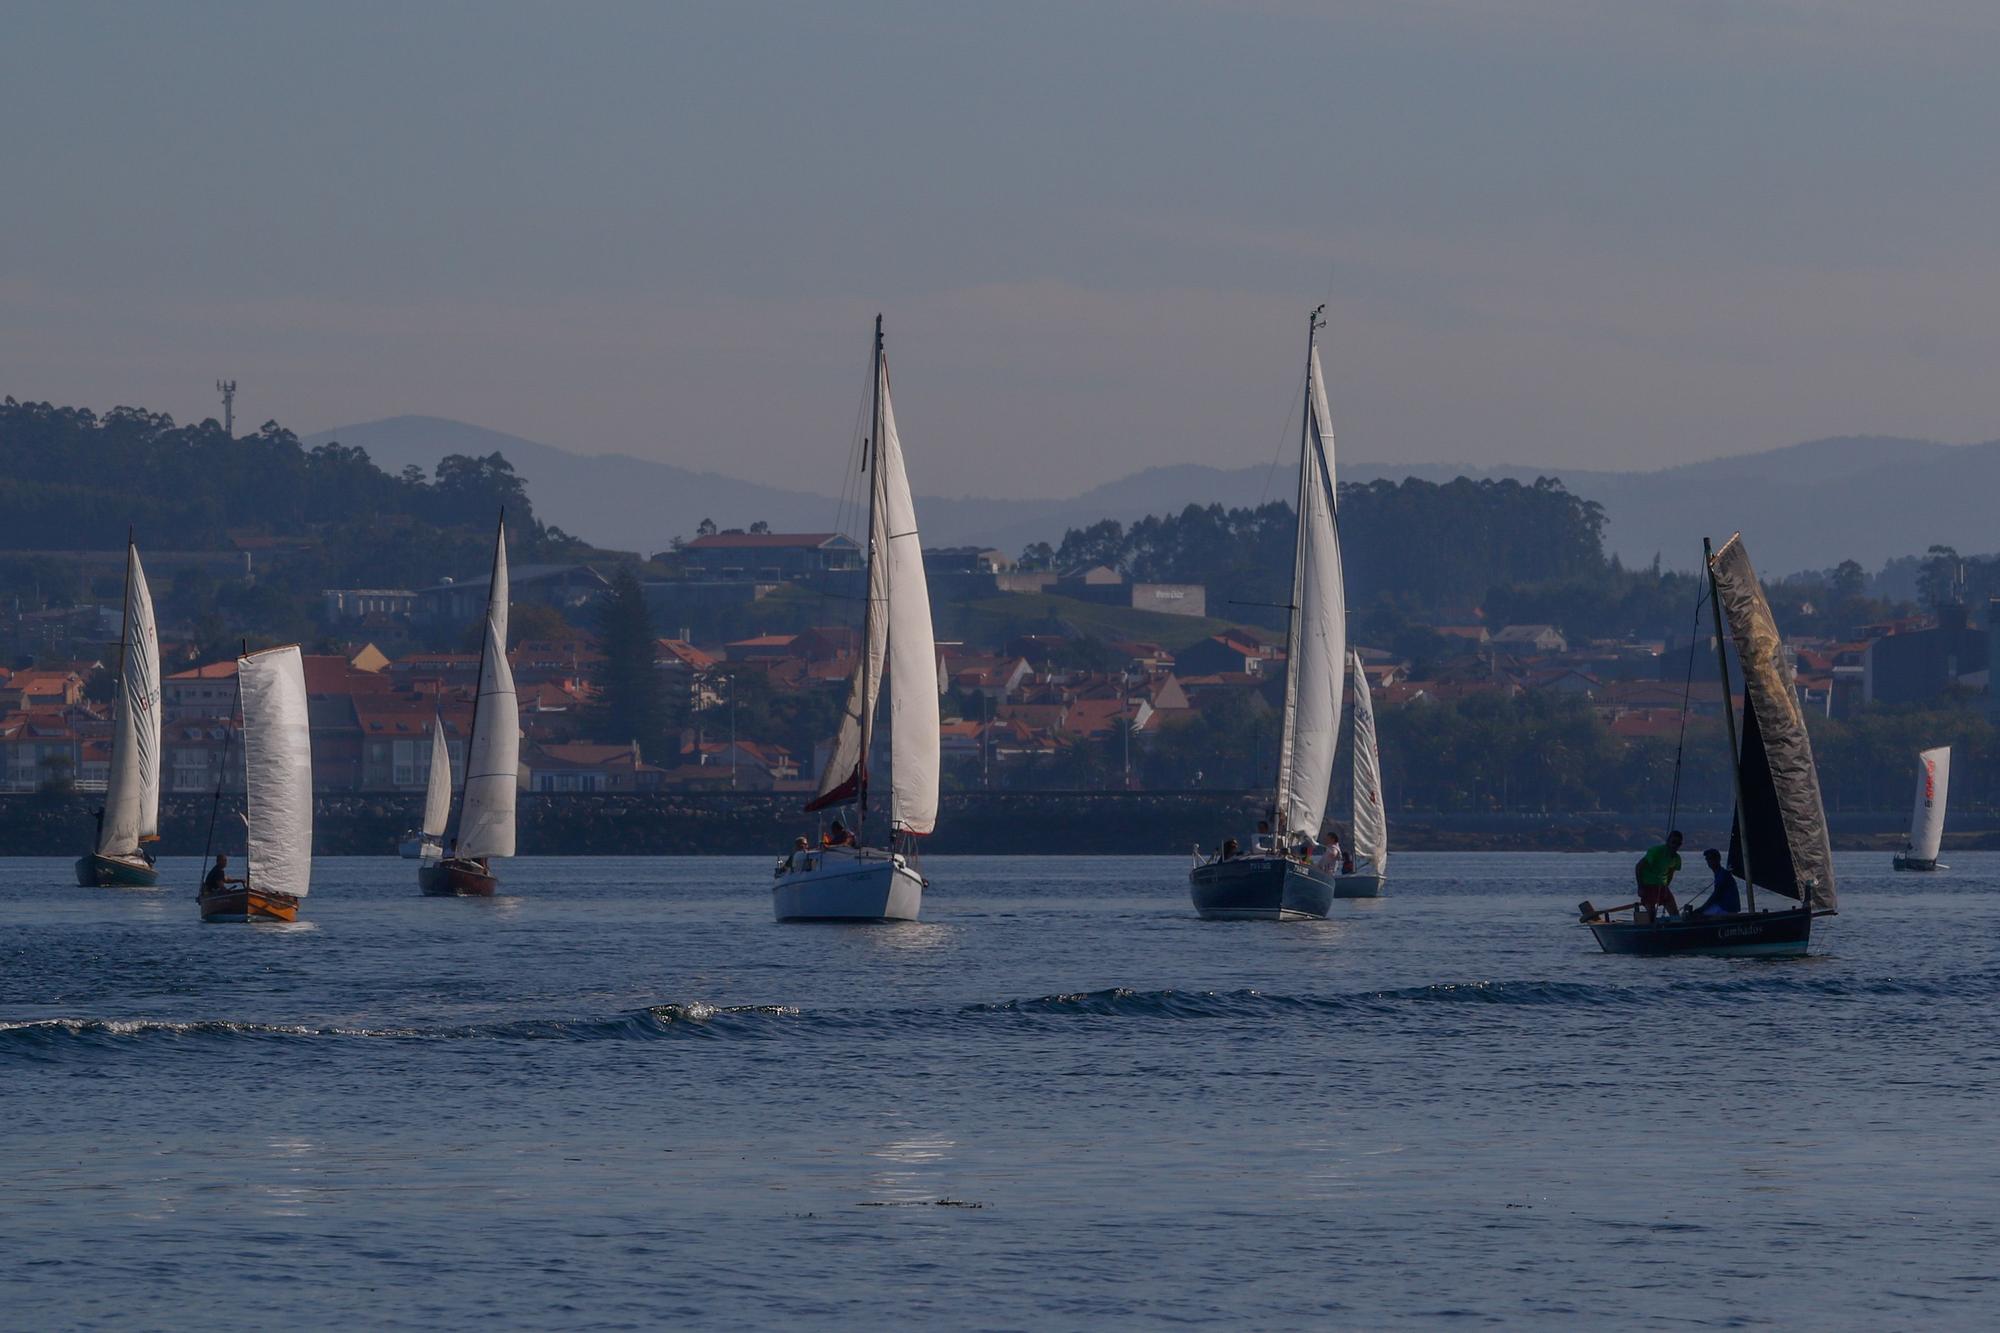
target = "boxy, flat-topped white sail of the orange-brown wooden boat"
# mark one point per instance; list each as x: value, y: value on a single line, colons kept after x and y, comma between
x: 277, y: 770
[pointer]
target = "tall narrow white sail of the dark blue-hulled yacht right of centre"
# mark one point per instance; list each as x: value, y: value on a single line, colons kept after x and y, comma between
x: 1317, y: 647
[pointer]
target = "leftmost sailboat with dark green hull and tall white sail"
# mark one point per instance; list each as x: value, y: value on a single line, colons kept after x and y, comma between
x: 131, y: 816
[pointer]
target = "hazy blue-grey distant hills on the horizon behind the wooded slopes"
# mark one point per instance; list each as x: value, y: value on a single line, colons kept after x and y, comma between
x: 1801, y: 507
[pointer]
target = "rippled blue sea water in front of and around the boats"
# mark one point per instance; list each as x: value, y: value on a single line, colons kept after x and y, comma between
x: 625, y: 1098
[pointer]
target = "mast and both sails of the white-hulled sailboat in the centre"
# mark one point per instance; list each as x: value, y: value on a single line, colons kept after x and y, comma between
x: 897, y: 645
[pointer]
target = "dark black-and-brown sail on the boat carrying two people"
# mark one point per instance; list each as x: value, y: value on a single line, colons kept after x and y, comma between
x: 1781, y: 818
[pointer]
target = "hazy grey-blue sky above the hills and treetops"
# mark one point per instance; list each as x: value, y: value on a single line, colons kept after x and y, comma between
x: 1583, y: 233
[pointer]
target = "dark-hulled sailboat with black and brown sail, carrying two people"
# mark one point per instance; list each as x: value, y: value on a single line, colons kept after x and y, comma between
x: 1779, y: 840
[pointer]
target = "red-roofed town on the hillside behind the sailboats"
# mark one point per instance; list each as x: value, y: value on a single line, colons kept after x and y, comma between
x: 1101, y: 682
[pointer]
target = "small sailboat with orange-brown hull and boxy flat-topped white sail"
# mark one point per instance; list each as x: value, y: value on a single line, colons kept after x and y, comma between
x: 271, y: 690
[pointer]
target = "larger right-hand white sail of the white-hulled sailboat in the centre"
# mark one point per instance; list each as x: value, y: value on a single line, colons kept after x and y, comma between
x: 913, y: 651
